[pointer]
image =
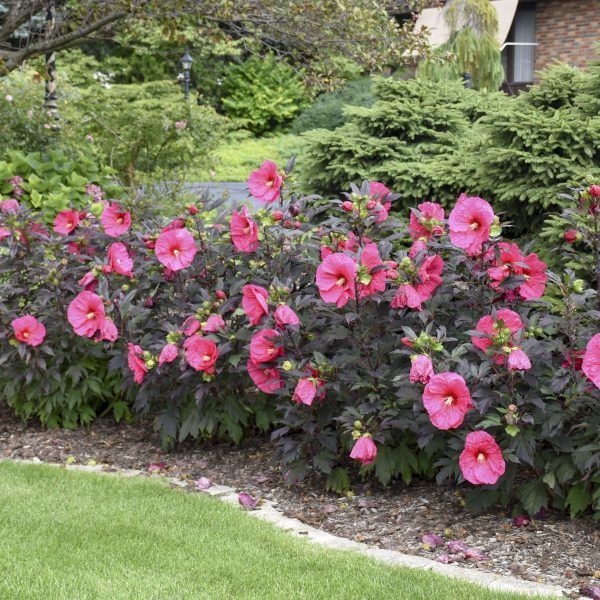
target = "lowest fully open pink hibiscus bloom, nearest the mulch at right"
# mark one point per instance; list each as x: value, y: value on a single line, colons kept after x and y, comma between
x: 481, y: 461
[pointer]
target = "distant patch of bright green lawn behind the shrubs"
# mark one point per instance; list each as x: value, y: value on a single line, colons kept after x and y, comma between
x: 238, y: 155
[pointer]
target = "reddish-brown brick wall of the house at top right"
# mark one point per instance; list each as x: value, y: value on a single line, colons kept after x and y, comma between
x: 566, y: 30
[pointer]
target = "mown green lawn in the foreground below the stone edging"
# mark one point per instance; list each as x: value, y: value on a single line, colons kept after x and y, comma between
x: 68, y: 535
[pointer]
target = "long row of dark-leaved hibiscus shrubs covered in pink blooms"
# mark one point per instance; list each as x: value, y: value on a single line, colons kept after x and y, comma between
x: 428, y: 349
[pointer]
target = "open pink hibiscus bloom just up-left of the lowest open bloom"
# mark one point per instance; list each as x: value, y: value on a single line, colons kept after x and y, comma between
x: 447, y: 399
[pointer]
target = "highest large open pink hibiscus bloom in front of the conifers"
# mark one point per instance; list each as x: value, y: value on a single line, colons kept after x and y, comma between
x: 470, y: 223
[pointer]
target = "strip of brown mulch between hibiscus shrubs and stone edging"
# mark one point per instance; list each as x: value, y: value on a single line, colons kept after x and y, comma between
x: 552, y: 550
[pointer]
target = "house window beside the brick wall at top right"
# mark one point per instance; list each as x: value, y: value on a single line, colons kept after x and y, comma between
x: 518, y: 57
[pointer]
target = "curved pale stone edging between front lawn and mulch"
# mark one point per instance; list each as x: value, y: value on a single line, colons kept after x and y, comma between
x: 267, y: 512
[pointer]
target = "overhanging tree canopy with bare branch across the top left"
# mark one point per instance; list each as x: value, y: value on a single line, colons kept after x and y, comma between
x: 313, y: 32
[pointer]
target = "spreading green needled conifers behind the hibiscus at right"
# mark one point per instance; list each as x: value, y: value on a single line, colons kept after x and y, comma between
x: 429, y: 140
